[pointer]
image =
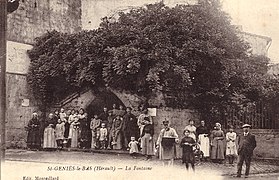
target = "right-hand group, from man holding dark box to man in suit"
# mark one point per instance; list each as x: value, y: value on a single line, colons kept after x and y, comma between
x: 214, y: 144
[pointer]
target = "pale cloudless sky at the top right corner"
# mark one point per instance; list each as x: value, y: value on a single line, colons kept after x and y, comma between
x: 258, y: 17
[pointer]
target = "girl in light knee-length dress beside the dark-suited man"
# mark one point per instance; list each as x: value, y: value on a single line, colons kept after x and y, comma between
x: 231, y: 151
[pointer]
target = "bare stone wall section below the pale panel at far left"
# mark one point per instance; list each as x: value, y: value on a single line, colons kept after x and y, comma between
x: 20, y: 106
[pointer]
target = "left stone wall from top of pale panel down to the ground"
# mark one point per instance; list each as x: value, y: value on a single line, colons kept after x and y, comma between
x: 20, y: 103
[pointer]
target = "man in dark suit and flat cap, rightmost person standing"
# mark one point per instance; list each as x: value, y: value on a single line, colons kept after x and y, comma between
x: 247, y: 144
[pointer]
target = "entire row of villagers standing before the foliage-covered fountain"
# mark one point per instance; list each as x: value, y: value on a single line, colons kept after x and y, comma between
x: 120, y: 129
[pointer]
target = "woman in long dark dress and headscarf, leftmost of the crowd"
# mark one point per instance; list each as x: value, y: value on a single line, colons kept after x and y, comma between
x: 33, y: 137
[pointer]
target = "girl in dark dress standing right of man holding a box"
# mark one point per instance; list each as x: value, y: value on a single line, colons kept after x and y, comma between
x: 187, y: 144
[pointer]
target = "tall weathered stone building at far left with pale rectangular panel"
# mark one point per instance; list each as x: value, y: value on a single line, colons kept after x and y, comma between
x: 33, y: 18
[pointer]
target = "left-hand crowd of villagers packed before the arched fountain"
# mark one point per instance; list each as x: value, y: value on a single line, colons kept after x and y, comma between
x: 117, y: 128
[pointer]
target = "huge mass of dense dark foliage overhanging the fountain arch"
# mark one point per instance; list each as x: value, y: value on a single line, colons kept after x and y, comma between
x: 191, y: 54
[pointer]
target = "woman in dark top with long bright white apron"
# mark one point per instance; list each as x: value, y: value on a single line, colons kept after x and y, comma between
x: 203, y: 139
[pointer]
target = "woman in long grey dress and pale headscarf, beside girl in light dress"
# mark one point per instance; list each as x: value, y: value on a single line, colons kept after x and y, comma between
x: 217, y: 144
